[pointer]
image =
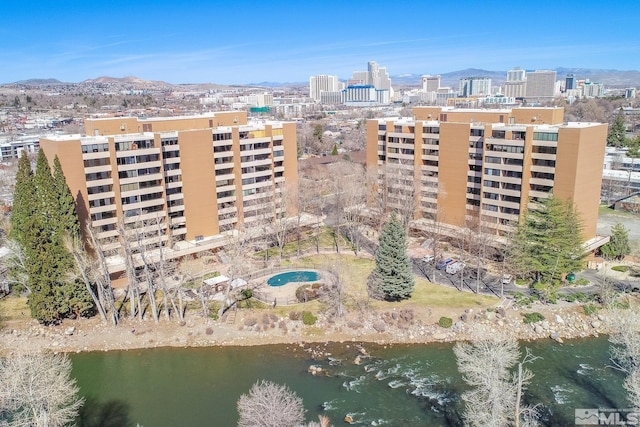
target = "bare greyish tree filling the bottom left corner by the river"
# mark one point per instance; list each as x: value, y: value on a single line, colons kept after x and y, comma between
x: 37, y: 390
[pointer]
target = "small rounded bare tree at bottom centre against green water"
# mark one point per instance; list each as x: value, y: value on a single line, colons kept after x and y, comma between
x: 270, y: 405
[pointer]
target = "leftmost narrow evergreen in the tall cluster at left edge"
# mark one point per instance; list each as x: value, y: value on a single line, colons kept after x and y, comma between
x: 23, y: 200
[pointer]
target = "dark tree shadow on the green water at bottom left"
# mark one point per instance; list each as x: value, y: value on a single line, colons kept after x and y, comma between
x: 112, y: 413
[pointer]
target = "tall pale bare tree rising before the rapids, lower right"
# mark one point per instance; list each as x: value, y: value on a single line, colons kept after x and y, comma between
x: 495, y: 397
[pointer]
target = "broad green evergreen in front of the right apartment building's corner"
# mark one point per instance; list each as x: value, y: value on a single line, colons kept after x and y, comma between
x: 548, y: 241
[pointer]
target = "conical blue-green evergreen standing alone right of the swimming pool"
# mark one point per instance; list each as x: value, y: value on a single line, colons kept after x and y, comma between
x: 392, y: 276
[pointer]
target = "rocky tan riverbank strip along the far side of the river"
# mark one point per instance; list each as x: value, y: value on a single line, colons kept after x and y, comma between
x: 259, y: 327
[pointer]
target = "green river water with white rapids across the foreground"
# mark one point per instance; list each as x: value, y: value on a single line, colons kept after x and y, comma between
x: 400, y: 385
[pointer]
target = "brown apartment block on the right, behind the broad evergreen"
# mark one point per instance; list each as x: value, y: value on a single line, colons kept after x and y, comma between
x: 488, y: 164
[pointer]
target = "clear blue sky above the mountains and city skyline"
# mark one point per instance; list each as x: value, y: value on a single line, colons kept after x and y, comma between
x: 244, y: 42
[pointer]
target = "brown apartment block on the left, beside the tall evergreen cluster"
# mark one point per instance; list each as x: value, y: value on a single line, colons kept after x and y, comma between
x: 195, y: 176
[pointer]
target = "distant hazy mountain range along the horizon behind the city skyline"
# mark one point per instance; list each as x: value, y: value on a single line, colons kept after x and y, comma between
x: 609, y: 77
